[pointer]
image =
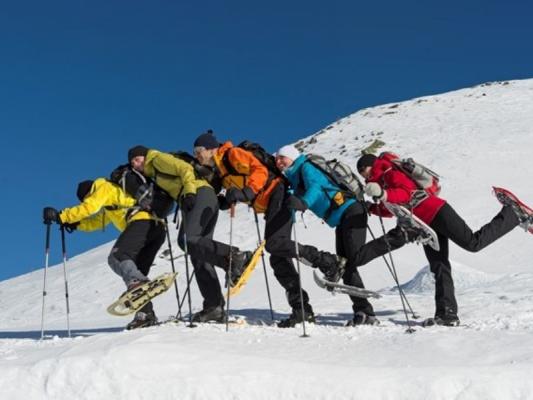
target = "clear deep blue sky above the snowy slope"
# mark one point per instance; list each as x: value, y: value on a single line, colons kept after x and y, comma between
x: 82, y: 81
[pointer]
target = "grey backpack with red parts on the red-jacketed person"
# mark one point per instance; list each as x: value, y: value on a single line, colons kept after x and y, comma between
x: 424, y: 178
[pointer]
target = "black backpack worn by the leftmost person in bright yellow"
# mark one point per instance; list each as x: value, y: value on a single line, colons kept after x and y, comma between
x: 149, y: 196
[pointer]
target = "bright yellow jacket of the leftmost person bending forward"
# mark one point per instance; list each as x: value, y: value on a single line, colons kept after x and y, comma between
x: 92, y: 213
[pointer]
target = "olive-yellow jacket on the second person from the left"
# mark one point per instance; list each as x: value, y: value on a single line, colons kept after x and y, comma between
x: 170, y: 173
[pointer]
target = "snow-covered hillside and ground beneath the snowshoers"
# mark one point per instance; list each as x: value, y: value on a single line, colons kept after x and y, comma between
x: 475, y: 138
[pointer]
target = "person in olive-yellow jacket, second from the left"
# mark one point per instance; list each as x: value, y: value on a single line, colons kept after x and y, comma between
x: 199, y: 205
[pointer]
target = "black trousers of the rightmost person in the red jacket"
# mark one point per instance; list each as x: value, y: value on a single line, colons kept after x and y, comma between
x: 449, y: 225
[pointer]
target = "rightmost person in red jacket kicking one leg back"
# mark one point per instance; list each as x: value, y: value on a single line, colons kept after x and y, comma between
x: 385, y: 182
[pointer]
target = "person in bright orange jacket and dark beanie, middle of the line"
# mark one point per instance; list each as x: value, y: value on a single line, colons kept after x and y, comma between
x: 246, y: 179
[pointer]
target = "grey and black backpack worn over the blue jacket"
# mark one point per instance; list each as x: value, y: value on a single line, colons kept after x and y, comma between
x: 339, y: 173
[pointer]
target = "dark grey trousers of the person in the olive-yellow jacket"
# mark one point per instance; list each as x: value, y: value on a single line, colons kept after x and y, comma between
x: 198, y: 225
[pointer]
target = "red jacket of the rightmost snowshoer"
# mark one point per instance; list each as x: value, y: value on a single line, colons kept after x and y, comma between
x: 400, y: 189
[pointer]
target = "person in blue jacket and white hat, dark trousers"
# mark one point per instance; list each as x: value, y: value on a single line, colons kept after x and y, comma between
x: 313, y: 190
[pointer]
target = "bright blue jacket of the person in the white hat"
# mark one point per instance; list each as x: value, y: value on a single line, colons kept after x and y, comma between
x: 317, y: 190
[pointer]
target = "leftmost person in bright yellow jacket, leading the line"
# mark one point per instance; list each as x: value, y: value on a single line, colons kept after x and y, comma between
x: 103, y: 202
